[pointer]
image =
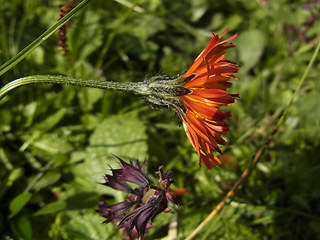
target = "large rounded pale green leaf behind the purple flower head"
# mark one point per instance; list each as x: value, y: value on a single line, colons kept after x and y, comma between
x: 123, y: 135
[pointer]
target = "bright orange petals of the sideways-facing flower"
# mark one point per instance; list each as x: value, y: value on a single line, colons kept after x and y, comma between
x: 207, y: 80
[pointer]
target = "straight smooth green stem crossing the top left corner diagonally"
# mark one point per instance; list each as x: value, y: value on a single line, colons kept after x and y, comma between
x: 27, y: 50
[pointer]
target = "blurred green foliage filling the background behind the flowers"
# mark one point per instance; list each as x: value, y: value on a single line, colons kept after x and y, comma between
x: 56, y: 142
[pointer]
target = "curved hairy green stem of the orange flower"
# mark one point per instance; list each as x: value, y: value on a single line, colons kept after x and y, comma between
x: 136, y: 87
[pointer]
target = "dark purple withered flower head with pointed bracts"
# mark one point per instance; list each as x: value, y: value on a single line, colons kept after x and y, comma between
x: 143, y: 204
